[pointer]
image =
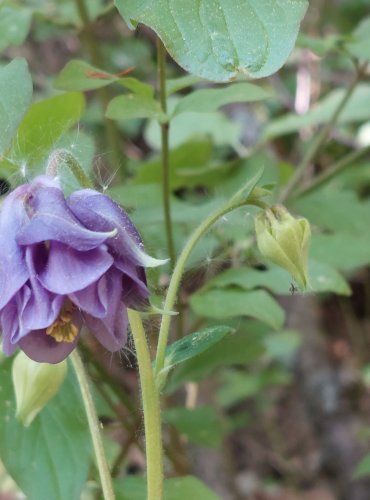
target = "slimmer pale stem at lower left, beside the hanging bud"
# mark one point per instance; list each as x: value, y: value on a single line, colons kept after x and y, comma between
x: 94, y: 426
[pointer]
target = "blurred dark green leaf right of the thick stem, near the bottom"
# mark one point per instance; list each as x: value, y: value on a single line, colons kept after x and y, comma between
x: 200, y: 425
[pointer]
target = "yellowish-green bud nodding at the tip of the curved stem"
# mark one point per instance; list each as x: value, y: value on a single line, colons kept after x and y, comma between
x: 284, y: 240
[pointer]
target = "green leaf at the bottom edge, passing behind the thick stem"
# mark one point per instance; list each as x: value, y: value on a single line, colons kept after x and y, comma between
x: 177, y: 488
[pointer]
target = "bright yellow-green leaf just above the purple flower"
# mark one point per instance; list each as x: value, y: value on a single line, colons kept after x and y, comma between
x: 43, y: 126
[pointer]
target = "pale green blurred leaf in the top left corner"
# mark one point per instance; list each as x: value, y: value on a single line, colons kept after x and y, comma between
x: 15, y: 24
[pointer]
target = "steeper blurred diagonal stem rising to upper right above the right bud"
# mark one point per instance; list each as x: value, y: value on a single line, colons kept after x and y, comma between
x: 318, y: 142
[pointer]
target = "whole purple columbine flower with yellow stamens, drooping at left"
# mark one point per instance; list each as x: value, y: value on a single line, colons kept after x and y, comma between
x: 65, y: 263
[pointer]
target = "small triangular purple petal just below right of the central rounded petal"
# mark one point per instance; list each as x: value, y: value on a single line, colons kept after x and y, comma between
x: 93, y: 299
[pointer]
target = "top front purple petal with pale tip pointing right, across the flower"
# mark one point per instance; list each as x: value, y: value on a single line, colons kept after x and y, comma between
x: 51, y: 219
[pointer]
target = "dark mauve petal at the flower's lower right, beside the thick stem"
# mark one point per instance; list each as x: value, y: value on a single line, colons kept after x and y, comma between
x: 111, y: 331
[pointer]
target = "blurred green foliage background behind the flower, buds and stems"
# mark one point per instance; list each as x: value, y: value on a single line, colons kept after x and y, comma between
x: 280, y: 408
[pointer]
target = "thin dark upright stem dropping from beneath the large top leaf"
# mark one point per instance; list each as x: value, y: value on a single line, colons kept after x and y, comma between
x: 165, y: 128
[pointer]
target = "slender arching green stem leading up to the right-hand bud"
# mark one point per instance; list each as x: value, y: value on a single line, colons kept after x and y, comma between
x: 178, y: 272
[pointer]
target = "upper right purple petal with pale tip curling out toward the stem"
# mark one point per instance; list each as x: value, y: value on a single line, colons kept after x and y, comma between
x: 99, y: 212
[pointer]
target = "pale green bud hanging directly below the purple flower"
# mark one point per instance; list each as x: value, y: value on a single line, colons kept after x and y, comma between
x: 35, y: 384
